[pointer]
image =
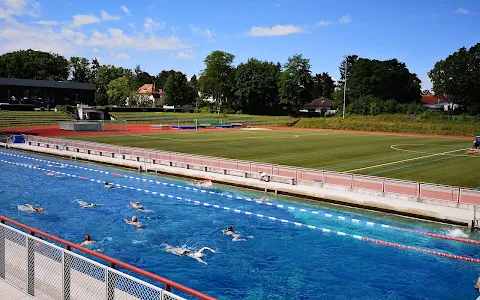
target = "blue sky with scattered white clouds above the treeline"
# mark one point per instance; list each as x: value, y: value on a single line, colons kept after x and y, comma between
x: 178, y: 34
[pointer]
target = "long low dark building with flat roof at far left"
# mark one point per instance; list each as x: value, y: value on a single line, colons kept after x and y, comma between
x: 43, y: 93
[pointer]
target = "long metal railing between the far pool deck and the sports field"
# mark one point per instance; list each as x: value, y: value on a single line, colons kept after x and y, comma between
x: 304, y: 176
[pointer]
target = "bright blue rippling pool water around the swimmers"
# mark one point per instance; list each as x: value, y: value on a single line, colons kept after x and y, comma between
x: 282, y: 261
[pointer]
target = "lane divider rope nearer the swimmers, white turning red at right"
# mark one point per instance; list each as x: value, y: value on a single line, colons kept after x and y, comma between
x: 248, y: 213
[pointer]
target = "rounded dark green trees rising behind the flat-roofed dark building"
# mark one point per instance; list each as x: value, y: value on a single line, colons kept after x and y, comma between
x: 30, y: 64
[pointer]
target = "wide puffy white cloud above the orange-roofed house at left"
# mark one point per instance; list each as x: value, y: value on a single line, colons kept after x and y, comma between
x: 116, y: 38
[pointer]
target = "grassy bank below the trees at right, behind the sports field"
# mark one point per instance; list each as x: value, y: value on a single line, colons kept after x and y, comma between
x: 394, y: 123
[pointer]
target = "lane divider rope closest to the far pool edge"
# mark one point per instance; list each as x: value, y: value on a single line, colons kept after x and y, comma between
x: 327, y: 214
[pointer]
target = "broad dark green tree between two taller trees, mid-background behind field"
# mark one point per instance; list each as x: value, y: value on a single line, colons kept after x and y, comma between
x: 256, y: 87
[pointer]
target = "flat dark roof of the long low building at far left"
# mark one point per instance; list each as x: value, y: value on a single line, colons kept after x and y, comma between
x: 47, y: 84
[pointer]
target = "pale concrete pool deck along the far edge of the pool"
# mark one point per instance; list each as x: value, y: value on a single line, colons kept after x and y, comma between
x: 432, y: 210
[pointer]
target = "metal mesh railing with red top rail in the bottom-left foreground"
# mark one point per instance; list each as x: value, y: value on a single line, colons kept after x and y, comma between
x: 47, y: 271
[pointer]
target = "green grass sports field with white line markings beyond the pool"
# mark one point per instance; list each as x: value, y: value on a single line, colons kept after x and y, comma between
x: 435, y: 160
